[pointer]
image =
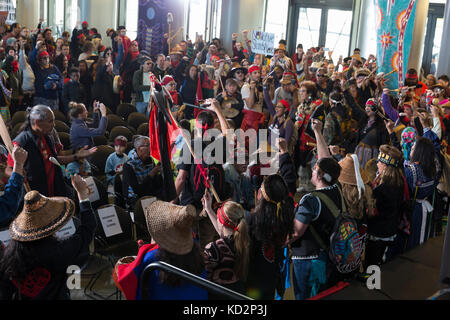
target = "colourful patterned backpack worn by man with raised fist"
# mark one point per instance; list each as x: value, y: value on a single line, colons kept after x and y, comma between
x: 346, y: 244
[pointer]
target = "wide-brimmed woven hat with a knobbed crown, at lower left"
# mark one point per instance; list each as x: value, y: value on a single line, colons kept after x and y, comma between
x: 41, y: 217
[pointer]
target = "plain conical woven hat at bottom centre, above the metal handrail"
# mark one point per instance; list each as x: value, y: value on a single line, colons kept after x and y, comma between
x: 170, y: 226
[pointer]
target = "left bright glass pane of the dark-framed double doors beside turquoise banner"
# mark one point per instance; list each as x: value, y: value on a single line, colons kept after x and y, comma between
x: 309, y: 27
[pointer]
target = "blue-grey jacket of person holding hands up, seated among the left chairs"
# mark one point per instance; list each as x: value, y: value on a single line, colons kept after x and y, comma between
x: 81, y: 132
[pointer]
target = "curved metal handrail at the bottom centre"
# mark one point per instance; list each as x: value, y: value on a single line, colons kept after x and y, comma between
x: 206, y: 284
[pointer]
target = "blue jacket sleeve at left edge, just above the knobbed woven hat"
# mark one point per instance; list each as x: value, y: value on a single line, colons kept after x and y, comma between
x: 10, y: 201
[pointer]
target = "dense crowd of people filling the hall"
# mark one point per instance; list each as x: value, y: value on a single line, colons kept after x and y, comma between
x: 347, y: 148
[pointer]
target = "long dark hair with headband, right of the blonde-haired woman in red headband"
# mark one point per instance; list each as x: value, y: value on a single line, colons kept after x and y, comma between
x: 269, y: 227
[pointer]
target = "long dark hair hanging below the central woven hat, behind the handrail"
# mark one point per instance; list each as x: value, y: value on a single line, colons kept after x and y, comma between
x: 192, y: 262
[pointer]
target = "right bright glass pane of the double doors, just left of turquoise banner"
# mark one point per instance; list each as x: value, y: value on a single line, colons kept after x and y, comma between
x: 338, y: 32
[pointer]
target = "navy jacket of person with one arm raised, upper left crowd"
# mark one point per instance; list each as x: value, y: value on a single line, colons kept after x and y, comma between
x: 42, y: 76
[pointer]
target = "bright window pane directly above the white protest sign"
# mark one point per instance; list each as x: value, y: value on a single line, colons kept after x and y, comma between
x: 276, y: 18
